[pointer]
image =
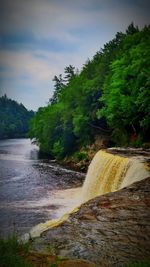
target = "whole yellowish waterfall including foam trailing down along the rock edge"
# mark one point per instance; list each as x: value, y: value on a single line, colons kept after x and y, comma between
x: 107, y: 173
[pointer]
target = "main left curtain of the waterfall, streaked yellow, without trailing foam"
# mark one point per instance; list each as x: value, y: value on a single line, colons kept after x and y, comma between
x: 105, y: 174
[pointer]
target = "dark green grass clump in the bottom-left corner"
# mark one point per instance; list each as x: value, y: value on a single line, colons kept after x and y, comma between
x: 10, y: 253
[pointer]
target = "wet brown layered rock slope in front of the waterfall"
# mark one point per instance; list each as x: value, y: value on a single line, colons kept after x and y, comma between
x: 109, y: 230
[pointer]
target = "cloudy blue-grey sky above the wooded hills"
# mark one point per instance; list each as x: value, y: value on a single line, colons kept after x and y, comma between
x: 39, y: 38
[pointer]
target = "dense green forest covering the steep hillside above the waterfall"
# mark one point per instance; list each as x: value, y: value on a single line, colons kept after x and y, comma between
x: 109, y: 96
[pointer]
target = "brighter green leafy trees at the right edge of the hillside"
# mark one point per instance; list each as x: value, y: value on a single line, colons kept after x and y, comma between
x: 126, y: 97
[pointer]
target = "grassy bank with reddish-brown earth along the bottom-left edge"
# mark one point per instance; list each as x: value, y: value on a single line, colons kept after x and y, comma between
x: 16, y: 254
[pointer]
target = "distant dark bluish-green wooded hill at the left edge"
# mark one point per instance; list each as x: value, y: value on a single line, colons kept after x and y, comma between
x: 14, y: 118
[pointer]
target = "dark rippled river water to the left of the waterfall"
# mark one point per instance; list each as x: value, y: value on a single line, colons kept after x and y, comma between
x: 31, y: 190
